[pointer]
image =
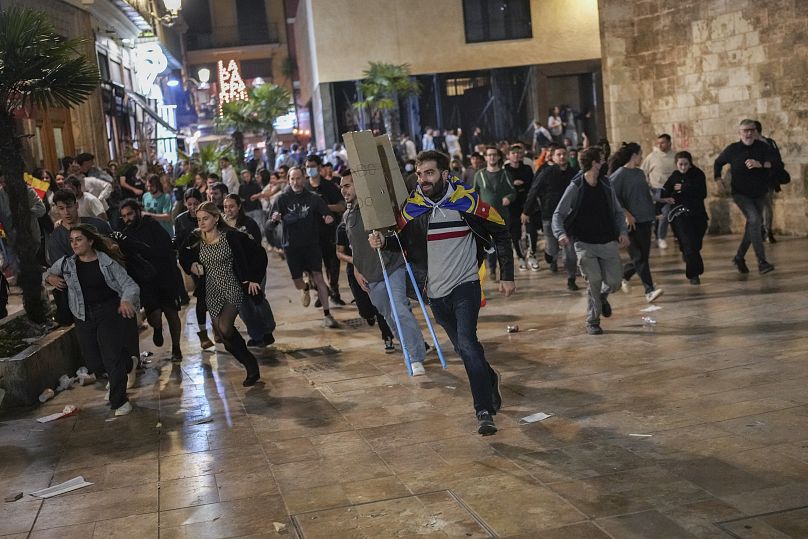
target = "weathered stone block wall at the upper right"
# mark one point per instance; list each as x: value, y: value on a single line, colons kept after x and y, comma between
x: 695, y: 68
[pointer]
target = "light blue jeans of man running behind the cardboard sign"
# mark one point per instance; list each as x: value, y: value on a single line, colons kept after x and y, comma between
x: 411, y: 333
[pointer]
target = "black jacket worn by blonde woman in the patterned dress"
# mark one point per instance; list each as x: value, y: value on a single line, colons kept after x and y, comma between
x: 249, y: 258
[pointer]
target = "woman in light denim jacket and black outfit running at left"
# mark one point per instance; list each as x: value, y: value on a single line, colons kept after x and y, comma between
x: 103, y: 300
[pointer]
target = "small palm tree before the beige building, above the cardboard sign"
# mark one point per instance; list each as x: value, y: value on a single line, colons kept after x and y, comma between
x: 383, y: 86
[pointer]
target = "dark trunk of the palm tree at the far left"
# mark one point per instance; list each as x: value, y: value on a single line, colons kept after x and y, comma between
x: 24, y: 244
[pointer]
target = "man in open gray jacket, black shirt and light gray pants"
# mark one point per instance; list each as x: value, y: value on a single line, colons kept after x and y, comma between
x: 590, y: 216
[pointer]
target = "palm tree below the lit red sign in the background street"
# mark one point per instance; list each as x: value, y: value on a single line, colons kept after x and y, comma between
x: 256, y: 114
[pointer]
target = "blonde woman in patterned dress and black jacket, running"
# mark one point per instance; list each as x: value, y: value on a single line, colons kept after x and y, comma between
x: 233, y: 266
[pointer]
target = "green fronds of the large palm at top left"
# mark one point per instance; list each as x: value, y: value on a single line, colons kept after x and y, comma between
x: 38, y: 67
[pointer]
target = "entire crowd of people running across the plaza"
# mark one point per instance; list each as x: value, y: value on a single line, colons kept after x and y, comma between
x: 136, y: 238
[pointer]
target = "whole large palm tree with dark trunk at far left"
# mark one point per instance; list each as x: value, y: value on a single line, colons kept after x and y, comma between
x: 37, y: 68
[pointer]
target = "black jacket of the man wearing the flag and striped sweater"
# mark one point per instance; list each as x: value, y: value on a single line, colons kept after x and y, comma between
x: 487, y: 235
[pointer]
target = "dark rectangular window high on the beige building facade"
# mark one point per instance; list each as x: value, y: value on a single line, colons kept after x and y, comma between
x: 496, y: 20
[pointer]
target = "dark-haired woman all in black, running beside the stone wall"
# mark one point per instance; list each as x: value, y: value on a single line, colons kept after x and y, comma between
x: 688, y: 188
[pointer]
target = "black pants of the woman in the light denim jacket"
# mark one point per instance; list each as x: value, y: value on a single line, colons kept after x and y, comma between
x: 103, y: 342
